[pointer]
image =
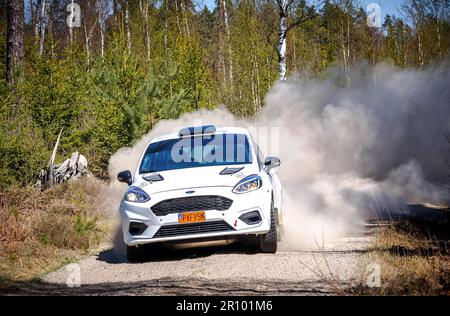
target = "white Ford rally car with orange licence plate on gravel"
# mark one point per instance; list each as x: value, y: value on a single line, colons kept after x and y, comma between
x: 202, y: 183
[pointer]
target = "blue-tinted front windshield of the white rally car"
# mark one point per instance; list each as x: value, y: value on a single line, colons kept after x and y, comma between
x: 196, y: 151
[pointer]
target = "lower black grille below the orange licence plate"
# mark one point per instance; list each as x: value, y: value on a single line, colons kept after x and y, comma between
x: 194, y: 228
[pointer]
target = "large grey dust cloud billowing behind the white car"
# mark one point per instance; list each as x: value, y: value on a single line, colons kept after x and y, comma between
x: 346, y: 153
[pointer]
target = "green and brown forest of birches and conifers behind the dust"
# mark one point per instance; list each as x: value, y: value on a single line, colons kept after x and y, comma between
x: 106, y: 71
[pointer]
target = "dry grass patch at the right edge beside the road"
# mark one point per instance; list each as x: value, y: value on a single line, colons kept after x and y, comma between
x: 411, y: 263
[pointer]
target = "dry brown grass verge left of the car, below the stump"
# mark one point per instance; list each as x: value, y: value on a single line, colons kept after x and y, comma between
x: 40, y: 231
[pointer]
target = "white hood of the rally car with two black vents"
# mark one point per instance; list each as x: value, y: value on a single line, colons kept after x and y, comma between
x: 195, y: 178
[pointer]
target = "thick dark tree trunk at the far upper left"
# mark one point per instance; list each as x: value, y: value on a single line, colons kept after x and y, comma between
x: 15, y: 45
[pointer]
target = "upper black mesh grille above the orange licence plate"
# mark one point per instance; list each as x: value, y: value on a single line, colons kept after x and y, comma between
x: 191, y: 204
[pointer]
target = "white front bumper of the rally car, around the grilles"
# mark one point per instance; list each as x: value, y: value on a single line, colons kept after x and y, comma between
x: 258, y: 200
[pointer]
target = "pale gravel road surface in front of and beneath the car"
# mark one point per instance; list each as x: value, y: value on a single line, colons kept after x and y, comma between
x: 217, y: 270
